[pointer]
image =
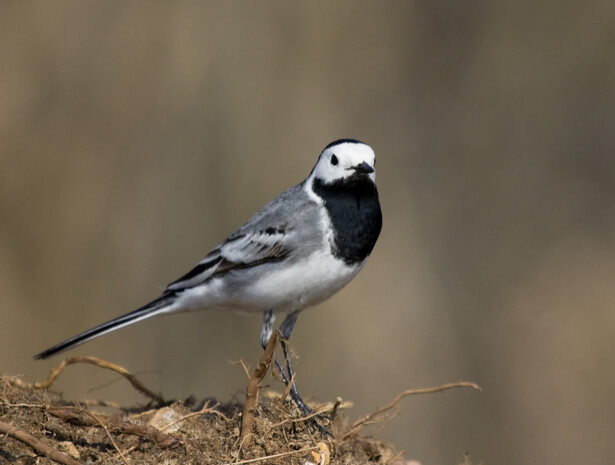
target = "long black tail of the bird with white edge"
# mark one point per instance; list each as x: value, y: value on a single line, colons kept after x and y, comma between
x: 153, y: 308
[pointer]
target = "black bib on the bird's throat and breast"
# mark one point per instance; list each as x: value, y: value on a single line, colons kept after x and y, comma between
x: 355, y: 214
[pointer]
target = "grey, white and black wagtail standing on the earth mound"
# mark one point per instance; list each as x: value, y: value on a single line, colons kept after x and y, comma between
x: 299, y: 250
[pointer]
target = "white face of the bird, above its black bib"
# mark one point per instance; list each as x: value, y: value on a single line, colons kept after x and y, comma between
x: 341, y: 161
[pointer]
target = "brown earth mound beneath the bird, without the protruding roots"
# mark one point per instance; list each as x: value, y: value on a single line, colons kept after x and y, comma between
x: 38, y: 427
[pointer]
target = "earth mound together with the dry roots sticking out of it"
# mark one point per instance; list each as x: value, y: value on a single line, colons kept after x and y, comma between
x: 267, y: 430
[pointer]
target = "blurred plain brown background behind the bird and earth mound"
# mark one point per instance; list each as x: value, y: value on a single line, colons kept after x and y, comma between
x: 135, y: 135
